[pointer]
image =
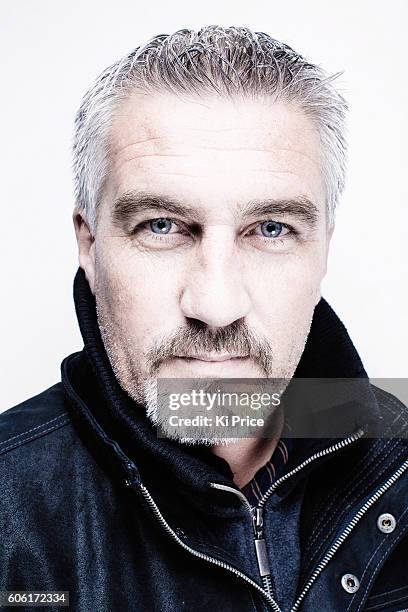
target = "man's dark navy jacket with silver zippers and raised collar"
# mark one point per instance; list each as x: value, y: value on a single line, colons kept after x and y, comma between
x: 94, y: 503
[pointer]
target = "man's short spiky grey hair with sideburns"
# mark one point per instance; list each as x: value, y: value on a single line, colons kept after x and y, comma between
x: 225, y: 61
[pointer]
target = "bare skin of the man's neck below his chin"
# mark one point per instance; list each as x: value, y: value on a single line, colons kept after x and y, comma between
x: 248, y: 455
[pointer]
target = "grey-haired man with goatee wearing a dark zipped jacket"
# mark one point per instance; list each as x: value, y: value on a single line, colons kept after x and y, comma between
x: 208, y: 166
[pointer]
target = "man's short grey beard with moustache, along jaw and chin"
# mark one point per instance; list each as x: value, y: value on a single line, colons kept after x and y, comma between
x: 137, y: 372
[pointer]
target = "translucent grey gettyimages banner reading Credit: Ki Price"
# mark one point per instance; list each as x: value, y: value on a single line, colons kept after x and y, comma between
x: 215, y: 409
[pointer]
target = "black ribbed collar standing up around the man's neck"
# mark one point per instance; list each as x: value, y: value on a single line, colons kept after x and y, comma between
x: 115, y: 427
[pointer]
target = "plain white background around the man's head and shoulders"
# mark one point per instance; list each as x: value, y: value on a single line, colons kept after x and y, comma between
x: 50, y: 53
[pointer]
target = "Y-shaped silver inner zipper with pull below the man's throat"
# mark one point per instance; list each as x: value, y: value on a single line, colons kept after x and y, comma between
x: 257, y: 511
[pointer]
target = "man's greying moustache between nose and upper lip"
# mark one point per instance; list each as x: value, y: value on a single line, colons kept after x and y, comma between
x: 198, y: 338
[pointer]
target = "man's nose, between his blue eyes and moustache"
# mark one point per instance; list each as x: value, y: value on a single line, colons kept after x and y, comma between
x: 214, y: 291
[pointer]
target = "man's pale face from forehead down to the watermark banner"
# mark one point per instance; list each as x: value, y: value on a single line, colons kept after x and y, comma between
x: 211, y: 240
